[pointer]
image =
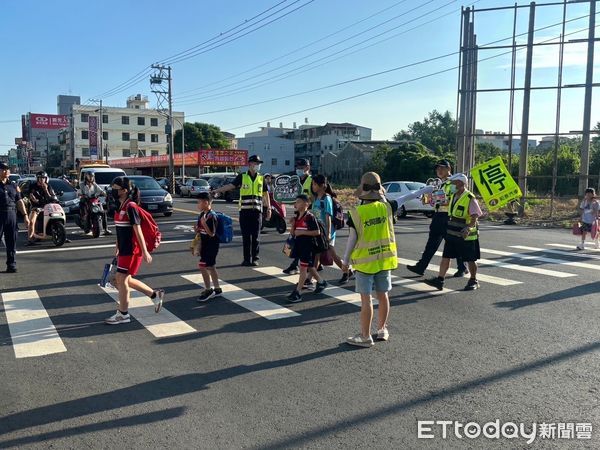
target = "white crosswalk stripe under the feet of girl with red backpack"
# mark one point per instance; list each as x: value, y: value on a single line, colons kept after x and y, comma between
x: 163, y: 324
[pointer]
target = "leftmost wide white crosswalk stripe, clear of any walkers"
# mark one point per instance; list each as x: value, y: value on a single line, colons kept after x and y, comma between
x: 31, y: 330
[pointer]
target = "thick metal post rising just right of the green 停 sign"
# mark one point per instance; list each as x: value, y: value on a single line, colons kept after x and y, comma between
x: 526, y: 102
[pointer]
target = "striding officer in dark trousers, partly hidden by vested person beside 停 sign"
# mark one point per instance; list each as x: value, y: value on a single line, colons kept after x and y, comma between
x: 439, y: 223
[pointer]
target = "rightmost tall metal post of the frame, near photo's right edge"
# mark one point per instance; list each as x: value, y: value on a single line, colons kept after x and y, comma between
x: 587, y: 104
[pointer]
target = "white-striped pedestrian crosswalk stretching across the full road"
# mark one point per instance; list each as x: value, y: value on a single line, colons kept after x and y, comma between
x: 33, y: 333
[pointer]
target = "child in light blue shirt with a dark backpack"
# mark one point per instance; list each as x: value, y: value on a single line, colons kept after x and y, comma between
x: 327, y: 209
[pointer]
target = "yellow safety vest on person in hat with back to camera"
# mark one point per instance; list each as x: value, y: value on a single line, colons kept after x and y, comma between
x: 375, y: 249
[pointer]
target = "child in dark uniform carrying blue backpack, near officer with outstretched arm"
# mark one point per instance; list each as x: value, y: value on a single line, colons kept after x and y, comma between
x: 206, y: 227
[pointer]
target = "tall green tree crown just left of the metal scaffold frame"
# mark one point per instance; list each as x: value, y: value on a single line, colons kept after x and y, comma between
x: 436, y: 132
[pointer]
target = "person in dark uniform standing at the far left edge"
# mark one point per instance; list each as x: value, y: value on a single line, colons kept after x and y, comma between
x: 10, y: 200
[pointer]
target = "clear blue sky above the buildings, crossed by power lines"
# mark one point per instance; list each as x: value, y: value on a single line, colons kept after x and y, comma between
x: 89, y: 48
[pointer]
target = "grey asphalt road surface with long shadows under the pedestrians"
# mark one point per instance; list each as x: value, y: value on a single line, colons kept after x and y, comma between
x: 252, y: 371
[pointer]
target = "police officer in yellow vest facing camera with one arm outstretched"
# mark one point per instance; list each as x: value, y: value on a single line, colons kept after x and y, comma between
x: 253, y: 198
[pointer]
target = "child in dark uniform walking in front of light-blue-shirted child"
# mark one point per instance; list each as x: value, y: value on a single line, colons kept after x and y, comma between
x: 304, y: 229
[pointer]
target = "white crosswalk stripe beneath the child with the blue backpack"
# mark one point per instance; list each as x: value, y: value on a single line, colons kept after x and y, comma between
x: 247, y: 300
